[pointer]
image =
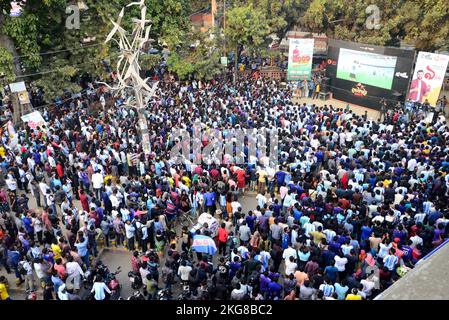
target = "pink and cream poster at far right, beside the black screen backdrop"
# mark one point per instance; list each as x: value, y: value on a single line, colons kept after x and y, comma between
x: 428, y: 77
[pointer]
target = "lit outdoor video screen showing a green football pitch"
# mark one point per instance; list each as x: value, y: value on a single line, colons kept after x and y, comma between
x: 367, y: 68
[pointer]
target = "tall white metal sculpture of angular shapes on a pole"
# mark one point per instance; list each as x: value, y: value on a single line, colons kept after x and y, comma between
x: 128, y: 67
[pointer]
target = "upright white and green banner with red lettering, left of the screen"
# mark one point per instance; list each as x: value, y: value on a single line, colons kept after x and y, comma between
x: 300, y: 55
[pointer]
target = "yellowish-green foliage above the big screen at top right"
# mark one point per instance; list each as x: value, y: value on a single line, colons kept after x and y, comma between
x: 422, y: 23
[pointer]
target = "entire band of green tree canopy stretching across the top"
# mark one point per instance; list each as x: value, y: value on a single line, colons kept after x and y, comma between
x: 37, y: 46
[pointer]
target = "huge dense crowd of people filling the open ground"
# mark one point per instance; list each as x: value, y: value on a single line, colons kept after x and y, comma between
x: 353, y: 204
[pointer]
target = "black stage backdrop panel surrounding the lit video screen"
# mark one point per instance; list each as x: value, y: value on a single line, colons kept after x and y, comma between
x: 364, y: 74
